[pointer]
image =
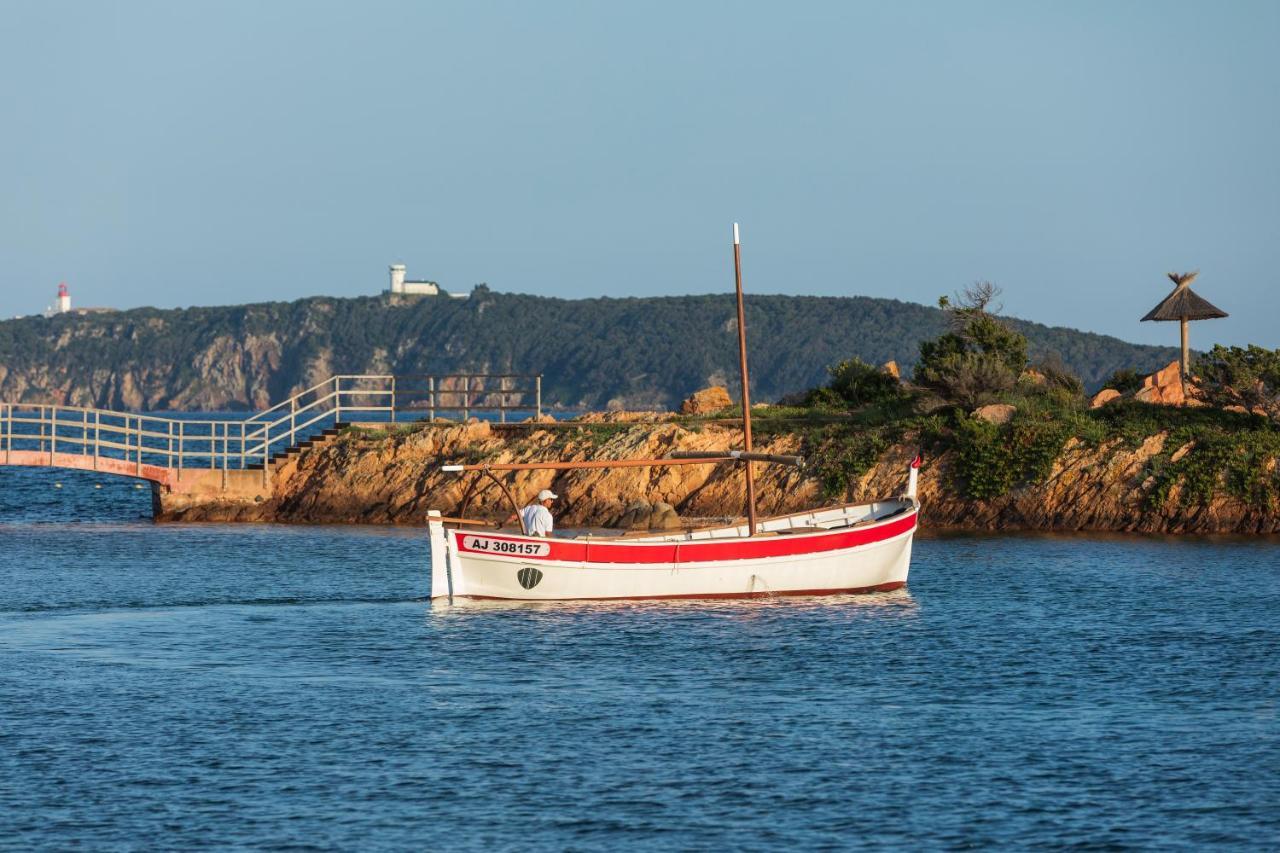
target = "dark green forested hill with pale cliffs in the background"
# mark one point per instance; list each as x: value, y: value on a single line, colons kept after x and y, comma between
x: 638, y: 353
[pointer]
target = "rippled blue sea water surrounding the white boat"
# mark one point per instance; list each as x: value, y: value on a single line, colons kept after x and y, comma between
x: 175, y: 687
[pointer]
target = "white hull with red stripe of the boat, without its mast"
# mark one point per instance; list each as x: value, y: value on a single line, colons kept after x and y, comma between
x: 870, y: 558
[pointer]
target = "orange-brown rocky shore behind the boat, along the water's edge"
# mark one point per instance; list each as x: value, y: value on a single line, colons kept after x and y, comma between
x: 395, y: 478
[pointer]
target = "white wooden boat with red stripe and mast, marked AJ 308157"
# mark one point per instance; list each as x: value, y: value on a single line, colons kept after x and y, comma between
x: 848, y: 549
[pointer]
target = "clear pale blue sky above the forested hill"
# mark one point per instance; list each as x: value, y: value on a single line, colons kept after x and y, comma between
x: 179, y: 154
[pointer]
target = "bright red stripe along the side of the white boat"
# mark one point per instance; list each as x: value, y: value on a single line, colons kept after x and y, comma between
x: 705, y: 551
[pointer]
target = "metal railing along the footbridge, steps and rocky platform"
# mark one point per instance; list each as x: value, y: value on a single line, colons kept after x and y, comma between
x: 181, y: 444
